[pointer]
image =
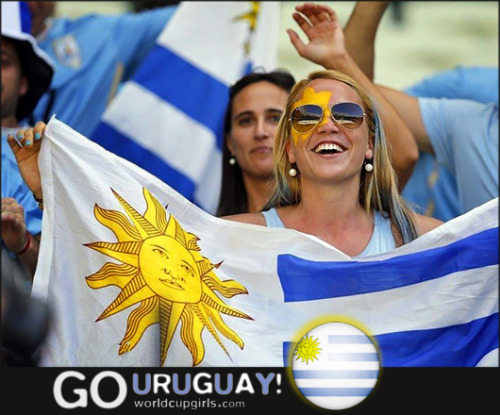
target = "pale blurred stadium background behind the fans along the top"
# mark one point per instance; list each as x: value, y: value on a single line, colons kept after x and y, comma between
x: 415, y: 38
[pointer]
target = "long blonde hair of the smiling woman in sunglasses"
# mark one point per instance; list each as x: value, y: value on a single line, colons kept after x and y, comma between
x: 378, y: 189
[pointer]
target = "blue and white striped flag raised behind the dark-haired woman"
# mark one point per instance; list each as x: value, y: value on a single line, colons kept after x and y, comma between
x: 169, y: 118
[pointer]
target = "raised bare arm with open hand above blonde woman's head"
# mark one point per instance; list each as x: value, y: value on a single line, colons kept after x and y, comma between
x: 326, y: 47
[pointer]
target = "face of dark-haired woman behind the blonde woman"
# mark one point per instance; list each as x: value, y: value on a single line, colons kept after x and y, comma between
x: 257, y: 109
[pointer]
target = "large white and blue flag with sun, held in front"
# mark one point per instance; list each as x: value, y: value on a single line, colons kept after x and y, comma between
x: 139, y: 276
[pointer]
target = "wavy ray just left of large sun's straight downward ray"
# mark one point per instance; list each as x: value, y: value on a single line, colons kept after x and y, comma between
x: 138, y: 321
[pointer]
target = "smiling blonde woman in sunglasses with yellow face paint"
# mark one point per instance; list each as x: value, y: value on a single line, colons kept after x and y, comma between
x: 334, y: 177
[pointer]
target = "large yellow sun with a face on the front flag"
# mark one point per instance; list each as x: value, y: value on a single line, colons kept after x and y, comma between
x: 162, y: 270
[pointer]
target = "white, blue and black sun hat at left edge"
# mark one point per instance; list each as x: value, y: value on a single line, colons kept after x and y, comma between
x: 35, y: 63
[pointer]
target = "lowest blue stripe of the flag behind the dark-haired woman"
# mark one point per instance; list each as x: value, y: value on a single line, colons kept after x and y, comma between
x: 108, y: 137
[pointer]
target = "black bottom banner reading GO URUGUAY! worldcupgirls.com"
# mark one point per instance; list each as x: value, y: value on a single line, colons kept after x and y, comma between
x: 229, y: 390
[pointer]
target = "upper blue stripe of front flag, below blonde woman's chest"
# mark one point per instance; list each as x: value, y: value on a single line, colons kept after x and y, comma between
x: 304, y: 280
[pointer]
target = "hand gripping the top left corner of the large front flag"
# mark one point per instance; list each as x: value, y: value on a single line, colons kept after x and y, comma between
x: 26, y: 147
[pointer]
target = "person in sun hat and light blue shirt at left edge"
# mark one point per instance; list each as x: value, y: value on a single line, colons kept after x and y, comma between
x: 26, y: 74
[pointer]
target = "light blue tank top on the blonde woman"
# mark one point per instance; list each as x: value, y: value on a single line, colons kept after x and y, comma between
x: 382, y: 239
